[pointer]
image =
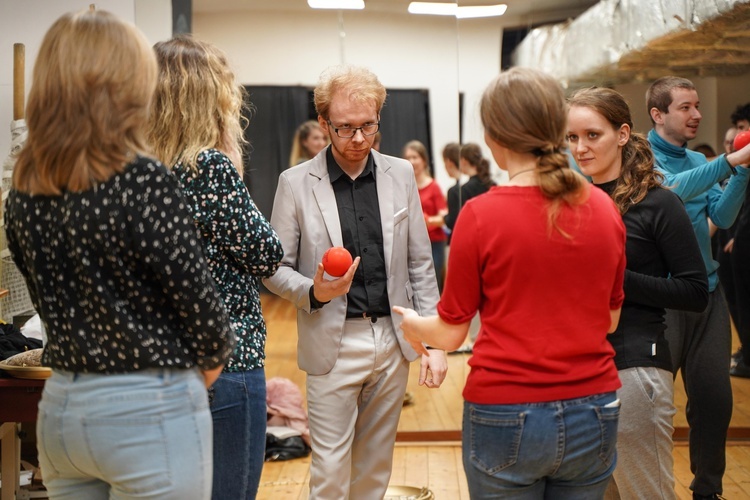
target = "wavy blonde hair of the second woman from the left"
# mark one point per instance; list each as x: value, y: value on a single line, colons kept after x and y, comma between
x: 198, y: 104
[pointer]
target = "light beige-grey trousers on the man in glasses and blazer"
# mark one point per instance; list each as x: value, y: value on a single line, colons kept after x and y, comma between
x: 354, y: 411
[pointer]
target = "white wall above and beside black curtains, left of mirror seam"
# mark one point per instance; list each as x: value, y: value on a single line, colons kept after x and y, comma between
x: 271, y: 48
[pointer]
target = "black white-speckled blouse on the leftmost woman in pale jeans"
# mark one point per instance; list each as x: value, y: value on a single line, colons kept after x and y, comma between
x: 118, y: 276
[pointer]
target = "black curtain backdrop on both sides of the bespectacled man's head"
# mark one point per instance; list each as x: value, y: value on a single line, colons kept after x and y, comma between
x: 278, y: 111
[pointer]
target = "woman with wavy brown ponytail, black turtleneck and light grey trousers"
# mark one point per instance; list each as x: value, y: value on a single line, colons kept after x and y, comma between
x: 664, y: 270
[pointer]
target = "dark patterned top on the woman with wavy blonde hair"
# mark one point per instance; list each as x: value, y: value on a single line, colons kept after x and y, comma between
x: 240, y: 245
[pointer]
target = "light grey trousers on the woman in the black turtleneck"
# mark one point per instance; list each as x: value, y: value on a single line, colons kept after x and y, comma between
x: 645, y: 465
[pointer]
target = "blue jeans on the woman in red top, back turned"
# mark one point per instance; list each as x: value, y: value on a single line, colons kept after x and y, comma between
x: 555, y: 450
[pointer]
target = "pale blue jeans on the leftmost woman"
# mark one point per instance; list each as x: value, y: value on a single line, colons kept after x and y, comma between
x: 144, y: 435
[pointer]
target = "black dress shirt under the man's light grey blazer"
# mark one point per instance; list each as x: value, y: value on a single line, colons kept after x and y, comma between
x: 362, y: 234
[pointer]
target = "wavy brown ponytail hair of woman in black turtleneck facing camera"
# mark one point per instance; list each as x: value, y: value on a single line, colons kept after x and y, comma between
x: 637, y: 173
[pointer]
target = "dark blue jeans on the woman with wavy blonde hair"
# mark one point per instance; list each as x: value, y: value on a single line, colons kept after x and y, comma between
x: 238, y: 407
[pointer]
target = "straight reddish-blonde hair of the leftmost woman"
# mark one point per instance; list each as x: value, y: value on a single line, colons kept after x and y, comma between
x: 88, y: 104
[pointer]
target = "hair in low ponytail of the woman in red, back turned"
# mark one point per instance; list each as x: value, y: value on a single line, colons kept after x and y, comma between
x: 524, y: 111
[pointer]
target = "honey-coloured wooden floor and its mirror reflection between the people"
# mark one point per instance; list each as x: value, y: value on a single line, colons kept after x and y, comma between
x: 435, y: 415
